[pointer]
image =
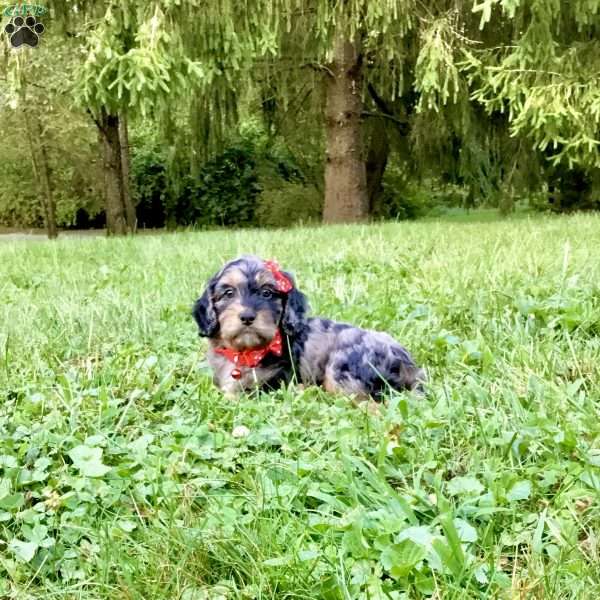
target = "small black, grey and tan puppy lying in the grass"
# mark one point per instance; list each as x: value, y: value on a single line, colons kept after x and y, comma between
x: 255, y: 319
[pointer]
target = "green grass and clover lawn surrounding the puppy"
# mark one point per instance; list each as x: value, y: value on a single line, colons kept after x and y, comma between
x: 120, y: 476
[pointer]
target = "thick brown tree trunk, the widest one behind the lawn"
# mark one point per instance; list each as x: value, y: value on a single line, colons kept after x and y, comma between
x: 346, y: 198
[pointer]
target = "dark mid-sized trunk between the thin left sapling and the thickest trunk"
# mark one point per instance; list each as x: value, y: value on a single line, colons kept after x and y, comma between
x: 116, y: 217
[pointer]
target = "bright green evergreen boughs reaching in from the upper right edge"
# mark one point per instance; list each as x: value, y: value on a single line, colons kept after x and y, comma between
x: 547, y: 83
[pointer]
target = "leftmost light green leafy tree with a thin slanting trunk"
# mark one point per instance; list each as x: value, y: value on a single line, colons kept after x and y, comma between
x: 49, y: 165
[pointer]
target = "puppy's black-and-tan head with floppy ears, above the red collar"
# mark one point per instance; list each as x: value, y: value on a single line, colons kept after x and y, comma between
x: 242, y: 306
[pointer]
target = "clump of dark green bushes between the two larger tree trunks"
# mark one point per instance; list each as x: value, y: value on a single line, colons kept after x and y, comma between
x: 227, y: 190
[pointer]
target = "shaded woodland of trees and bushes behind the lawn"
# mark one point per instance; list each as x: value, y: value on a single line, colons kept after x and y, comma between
x: 150, y: 114
